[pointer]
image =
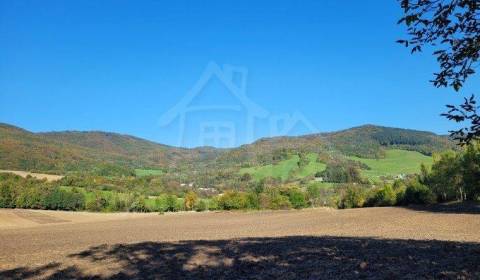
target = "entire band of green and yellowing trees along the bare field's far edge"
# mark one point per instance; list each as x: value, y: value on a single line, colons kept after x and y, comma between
x: 454, y: 176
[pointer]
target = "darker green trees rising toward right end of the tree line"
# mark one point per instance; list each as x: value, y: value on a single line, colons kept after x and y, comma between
x: 453, y: 176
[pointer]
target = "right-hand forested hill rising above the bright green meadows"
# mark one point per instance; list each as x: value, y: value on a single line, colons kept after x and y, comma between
x: 368, y: 141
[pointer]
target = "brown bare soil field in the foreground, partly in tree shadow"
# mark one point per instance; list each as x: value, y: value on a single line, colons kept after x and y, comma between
x: 369, y: 243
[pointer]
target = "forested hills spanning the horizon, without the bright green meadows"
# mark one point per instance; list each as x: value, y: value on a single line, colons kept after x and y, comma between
x: 59, y: 152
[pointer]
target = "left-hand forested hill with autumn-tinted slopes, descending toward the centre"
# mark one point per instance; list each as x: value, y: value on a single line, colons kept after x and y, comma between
x: 58, y: 152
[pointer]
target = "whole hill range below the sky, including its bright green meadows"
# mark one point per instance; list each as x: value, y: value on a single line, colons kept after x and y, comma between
x: 112, y: 154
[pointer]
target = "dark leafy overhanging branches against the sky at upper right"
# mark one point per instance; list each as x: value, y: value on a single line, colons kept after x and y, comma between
x: 452, y: 28
